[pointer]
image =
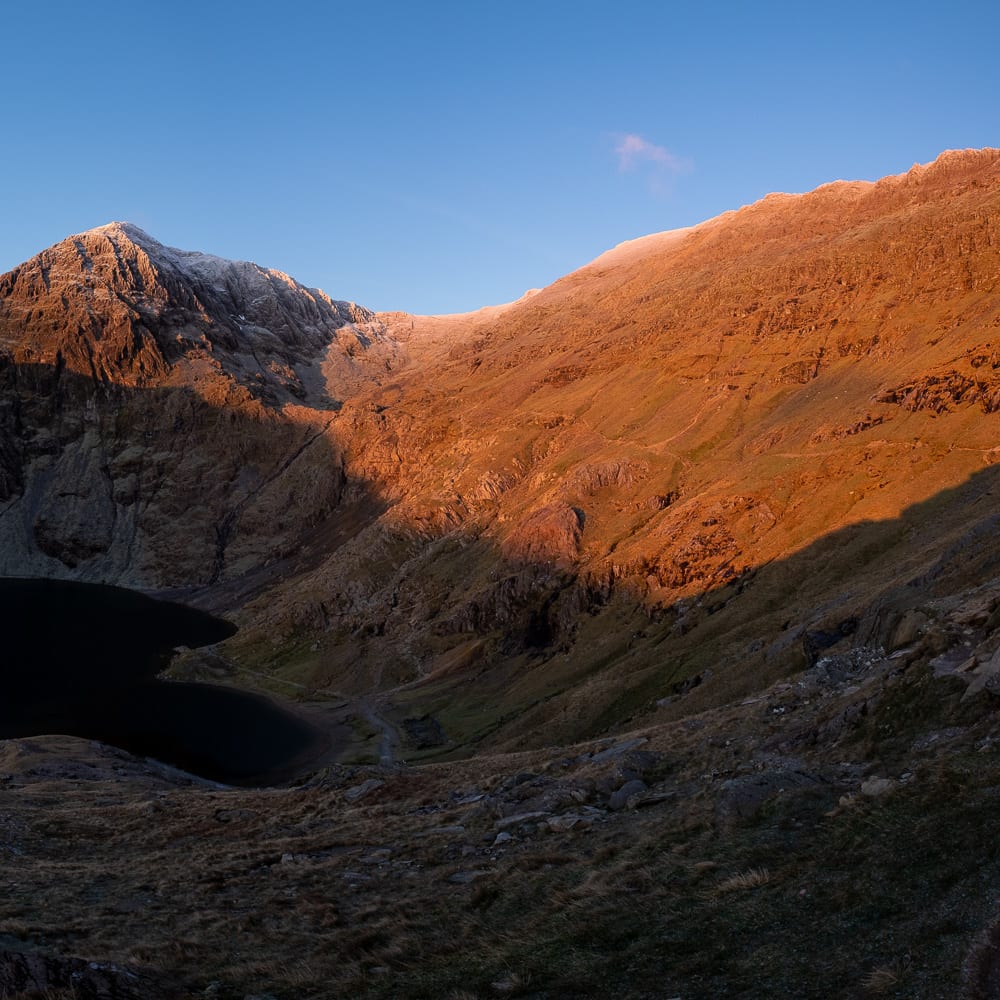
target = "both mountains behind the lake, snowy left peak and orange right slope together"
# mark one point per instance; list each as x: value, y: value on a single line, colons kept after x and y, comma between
x: 543, y: 501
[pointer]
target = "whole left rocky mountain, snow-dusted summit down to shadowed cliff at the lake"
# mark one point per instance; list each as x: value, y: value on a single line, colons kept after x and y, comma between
x: 163, y: 413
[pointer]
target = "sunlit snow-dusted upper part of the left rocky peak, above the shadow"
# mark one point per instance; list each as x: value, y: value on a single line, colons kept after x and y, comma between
x: 115, y: 305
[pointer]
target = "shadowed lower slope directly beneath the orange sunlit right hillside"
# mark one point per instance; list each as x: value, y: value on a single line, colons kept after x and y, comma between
x: 582, y: 657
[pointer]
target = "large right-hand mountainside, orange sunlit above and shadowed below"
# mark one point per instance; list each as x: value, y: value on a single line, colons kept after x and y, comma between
x: 572, y: 474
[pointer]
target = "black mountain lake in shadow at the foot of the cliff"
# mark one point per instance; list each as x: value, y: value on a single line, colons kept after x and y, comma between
x: 82, y: 659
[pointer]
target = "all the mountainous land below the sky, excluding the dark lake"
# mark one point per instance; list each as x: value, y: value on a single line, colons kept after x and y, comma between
x: 653, y: 619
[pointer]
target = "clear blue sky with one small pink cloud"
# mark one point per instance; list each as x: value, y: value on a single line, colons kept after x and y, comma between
x: 439, y: 156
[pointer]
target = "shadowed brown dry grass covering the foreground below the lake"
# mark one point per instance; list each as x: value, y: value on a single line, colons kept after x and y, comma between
x: 300, y: 893
